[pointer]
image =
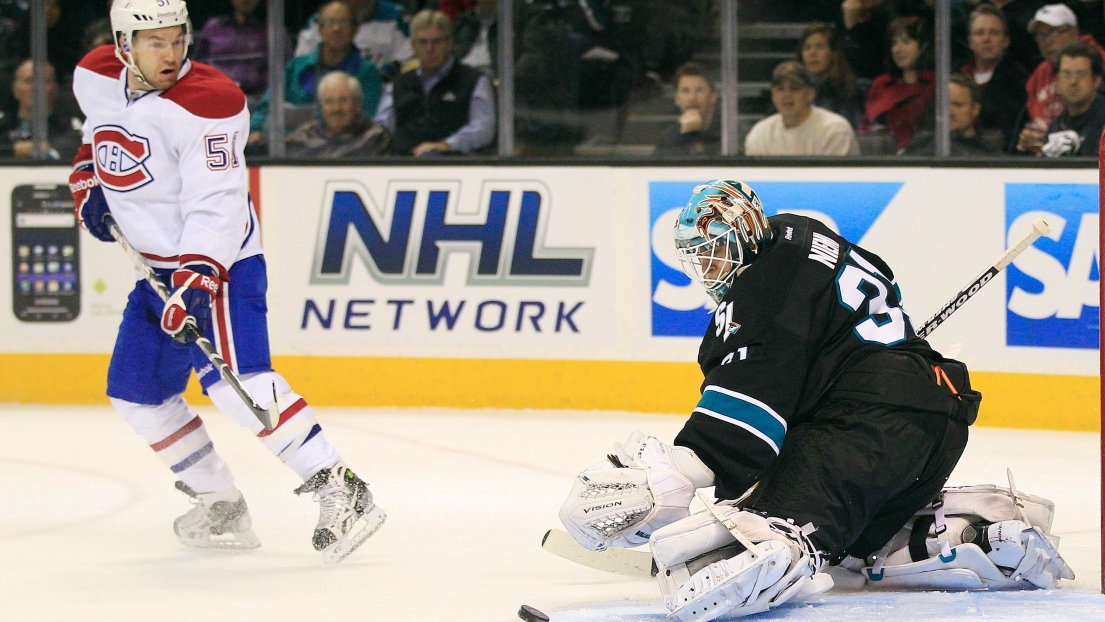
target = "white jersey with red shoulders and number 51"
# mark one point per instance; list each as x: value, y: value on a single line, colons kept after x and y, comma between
x: 172, y: 163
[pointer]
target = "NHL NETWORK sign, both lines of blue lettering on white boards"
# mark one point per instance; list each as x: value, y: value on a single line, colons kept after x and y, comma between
x: 411, y: 238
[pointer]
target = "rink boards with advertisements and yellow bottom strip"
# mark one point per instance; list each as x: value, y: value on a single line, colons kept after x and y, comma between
x: 559, y: 288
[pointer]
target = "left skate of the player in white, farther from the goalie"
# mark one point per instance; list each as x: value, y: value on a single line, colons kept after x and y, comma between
x: 218, y: 521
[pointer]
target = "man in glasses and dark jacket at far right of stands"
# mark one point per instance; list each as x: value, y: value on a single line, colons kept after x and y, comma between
x: 1078, y: 130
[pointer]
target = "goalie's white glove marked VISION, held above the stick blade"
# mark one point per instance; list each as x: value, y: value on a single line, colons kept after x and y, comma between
x: 643, y: 487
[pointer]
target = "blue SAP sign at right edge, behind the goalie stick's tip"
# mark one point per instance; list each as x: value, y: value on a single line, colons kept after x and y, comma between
x: 1053, y: 288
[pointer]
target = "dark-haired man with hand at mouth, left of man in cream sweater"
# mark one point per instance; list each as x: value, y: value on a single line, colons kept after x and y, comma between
x: 698, y: 133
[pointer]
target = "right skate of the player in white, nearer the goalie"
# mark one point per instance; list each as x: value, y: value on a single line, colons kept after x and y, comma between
x: 346, y: 515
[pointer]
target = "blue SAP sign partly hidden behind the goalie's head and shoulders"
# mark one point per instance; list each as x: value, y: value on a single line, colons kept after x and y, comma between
x: 681, y: 308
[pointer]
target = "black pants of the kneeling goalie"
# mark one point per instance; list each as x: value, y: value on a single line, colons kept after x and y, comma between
x: 871, y: 457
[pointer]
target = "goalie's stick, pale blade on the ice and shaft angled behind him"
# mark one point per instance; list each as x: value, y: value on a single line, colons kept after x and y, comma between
x: 634, y: 563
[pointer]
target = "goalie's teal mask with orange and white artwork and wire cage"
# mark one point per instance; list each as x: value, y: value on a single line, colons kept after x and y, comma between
x: 721, y: 230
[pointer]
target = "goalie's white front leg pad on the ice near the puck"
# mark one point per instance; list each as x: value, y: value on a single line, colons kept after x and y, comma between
x: 730, y: 562
